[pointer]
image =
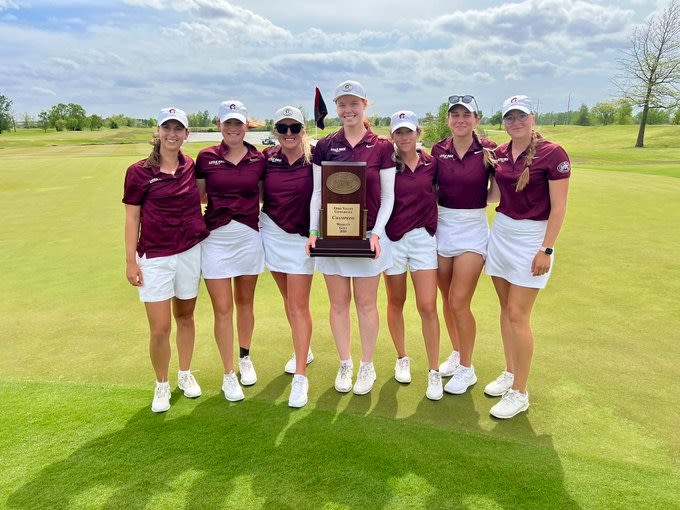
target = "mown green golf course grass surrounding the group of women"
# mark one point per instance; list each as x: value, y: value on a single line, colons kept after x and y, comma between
x: 76, y: 382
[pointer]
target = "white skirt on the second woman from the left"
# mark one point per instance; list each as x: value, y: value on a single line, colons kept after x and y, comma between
x: 232, y: 250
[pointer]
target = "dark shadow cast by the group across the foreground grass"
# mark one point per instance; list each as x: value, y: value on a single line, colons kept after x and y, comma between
x: 257, y: 455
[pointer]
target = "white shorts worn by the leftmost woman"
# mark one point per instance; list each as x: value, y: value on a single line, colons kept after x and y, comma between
x: 172, y: 276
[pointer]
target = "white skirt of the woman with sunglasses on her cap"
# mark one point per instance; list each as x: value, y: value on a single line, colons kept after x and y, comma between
x: 461, y: 230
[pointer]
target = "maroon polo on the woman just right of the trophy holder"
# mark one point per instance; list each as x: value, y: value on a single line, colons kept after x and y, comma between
x: 415, y: 199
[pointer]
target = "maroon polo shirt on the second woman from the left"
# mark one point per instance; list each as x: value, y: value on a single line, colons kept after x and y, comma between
x: 233, y: 190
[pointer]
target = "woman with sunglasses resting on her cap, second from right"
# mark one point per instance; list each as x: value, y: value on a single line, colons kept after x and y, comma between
x: 466, y: 183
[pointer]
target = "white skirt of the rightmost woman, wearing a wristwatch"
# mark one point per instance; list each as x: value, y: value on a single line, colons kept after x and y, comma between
x: 513, y: 244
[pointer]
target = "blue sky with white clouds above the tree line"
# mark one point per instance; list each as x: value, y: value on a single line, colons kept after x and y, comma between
x: 137, y: 56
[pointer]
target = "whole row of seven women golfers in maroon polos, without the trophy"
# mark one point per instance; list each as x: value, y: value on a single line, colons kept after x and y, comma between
x: 426, y: 215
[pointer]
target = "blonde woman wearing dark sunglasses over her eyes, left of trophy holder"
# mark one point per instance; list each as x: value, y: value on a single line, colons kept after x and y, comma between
x: 284, y: 224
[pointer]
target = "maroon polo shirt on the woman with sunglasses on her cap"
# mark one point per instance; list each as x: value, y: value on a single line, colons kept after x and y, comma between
x: 463, y: 183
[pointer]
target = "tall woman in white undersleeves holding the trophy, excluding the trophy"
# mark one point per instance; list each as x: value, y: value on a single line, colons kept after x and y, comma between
x: 356, y: 142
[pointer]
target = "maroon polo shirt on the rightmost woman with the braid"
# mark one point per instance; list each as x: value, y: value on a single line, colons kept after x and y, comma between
x: 533, y: 202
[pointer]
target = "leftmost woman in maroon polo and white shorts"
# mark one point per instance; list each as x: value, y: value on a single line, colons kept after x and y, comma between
x: 163, y: 231
